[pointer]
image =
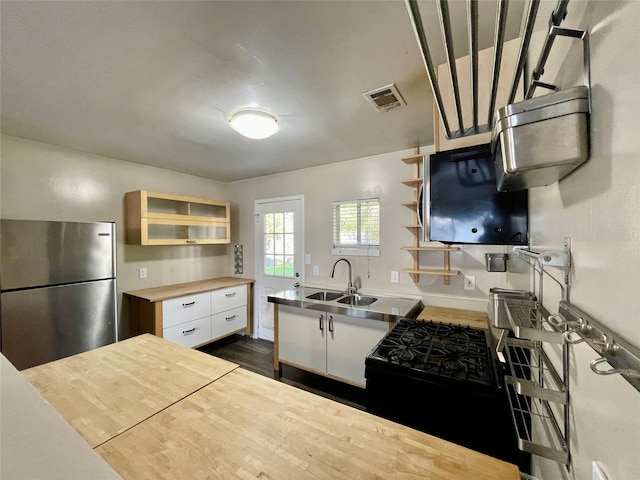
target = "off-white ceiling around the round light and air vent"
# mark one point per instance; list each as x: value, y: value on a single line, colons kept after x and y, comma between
x: 150, y: 81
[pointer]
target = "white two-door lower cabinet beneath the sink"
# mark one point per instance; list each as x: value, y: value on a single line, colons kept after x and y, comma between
x: 327, y: 343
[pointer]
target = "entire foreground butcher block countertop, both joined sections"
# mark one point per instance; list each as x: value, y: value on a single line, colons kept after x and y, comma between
x: 222, y: 421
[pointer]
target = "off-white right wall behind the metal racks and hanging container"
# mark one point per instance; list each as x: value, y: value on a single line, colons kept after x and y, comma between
x: 598, y: 206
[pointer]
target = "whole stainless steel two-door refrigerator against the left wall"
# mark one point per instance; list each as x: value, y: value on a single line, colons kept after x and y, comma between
x: 58, y: 284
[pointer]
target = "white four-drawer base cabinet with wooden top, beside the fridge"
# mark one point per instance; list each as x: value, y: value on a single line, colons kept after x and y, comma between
x: 193, y: 314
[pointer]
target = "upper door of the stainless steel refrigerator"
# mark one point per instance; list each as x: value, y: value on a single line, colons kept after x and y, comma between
x: 39, y: 253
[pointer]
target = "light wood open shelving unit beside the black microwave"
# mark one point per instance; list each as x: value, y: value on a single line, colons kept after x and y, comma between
x: 416, y: 229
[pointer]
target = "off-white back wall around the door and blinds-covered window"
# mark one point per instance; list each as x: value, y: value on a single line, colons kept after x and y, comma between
x: 377, y: 176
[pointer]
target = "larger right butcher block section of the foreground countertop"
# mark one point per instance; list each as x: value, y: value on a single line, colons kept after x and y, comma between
x: 248, y: 426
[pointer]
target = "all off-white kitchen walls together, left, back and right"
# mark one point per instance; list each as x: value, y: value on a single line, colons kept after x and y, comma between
x: 597, y: 206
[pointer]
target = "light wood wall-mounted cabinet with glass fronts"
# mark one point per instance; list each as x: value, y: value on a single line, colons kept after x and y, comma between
x: 165, y: 219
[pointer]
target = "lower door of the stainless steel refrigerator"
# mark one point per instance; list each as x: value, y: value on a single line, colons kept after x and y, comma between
x: 44, y: 324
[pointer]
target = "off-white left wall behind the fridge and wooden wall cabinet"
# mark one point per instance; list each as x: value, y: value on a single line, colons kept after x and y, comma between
x: 45, y: 182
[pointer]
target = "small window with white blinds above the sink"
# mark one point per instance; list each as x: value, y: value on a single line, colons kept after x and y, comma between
x: 356, y: 227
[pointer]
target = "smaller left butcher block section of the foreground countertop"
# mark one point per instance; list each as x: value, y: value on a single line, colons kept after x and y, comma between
x: 105, y: 391
